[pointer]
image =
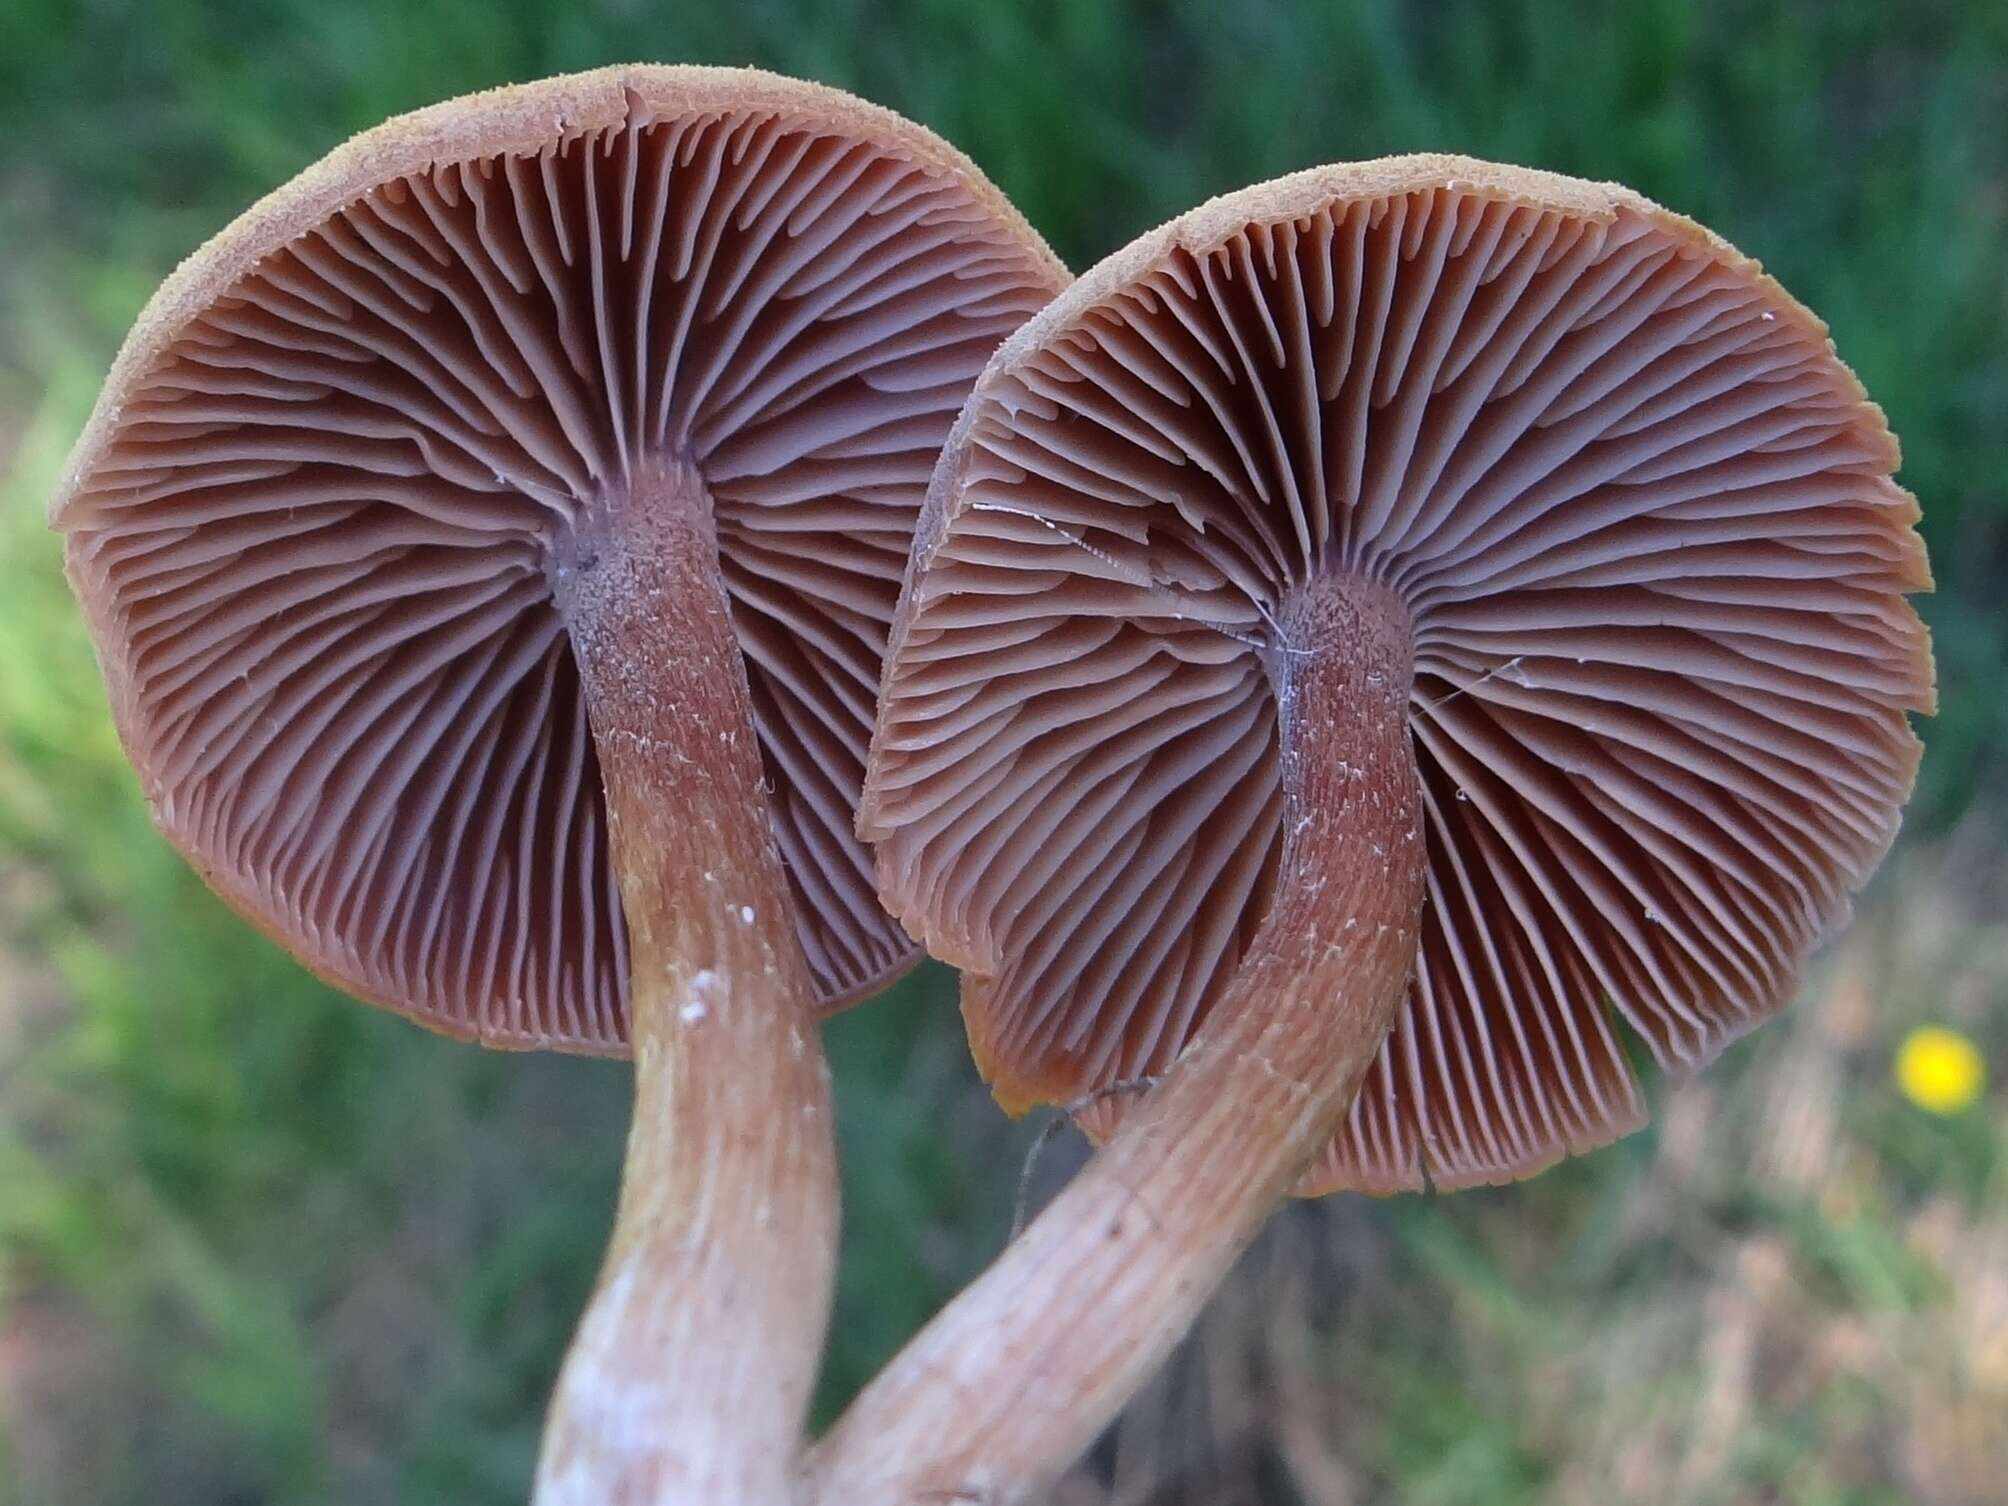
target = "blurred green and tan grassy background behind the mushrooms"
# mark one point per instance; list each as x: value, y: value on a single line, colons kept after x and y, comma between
x: 264, y: 1246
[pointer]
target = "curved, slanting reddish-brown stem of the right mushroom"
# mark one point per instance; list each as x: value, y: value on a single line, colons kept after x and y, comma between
x: 1019, y: 1374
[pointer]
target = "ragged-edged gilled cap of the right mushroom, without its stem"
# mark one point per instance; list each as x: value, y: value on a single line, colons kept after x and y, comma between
x: 1646, y: 527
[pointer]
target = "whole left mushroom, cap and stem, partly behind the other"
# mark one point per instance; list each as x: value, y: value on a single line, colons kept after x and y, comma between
x: 491, y: 543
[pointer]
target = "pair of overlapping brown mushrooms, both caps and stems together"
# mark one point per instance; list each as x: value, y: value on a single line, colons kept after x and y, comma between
x: 1362, y: 642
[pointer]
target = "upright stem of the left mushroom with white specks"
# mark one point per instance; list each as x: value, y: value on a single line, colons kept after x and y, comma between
x: 692, y: 1372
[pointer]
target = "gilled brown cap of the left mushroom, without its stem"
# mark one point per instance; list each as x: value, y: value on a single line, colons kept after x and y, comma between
x: 314, y: 513
